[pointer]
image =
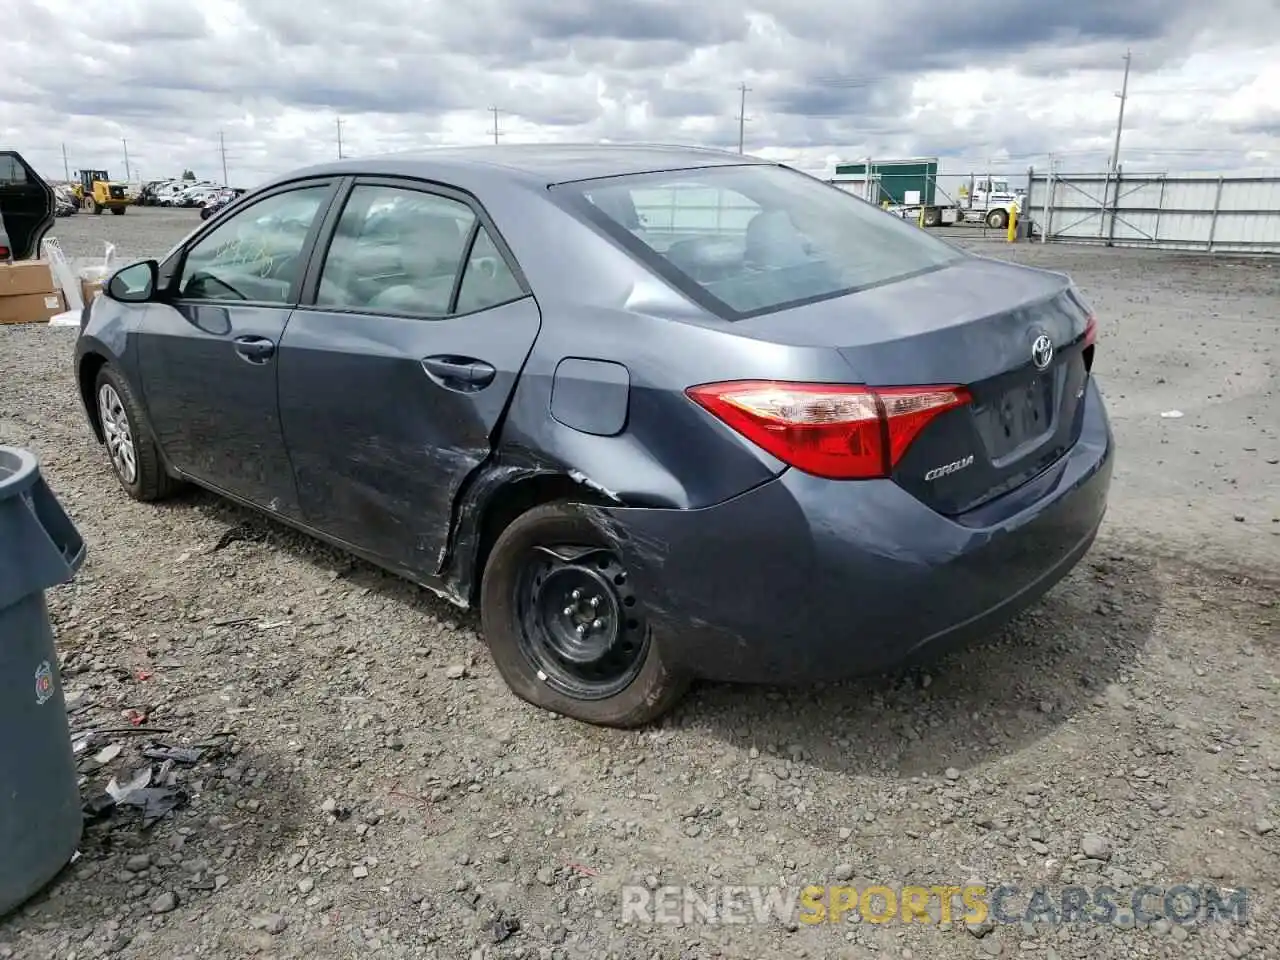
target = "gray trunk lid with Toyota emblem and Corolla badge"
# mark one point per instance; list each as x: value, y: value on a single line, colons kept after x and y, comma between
x: 982, y: 324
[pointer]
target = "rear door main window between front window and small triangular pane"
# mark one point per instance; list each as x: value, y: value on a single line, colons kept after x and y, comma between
x: 396, y: 252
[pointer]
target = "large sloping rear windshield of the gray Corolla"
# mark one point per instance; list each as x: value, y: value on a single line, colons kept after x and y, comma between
x: 756, y: 239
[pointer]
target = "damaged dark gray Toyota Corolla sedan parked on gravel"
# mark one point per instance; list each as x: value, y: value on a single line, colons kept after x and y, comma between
x: 661, y: 413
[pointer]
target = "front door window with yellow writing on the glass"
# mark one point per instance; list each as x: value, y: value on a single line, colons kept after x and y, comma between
x: 258, y: 254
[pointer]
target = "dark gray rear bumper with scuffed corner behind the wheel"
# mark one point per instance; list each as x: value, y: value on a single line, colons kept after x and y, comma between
x: 804, y: 579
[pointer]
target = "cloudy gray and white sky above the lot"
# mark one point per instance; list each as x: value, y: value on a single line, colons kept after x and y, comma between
x: 982, y: 84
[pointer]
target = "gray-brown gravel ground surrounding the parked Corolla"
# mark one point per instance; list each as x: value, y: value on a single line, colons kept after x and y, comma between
x: 378, y: 793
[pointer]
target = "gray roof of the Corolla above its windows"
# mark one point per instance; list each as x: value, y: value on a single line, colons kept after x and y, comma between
x: 543, y: 164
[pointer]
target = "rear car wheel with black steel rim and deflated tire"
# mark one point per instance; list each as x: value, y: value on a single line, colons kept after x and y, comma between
x: 515, y: 610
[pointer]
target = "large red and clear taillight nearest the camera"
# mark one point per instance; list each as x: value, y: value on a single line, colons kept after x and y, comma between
x: 830, y: 431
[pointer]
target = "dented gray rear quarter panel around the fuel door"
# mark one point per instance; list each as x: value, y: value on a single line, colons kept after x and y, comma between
x: 598, y: 304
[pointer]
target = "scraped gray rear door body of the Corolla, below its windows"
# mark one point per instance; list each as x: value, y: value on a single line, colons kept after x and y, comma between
x: 380, y: 449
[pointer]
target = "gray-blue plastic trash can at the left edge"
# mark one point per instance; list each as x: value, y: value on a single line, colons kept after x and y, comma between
x: 40, y: 806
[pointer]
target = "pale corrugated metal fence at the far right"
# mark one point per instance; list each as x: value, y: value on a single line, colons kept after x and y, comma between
x: 1169, y: 212
